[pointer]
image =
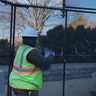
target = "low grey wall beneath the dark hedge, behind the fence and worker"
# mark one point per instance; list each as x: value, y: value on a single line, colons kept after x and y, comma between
x: 73, y: 71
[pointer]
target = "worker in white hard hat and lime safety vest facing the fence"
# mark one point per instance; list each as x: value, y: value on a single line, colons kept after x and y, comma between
x: 26, y: 76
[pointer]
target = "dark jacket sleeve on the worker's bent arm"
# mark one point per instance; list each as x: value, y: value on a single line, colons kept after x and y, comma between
x: 36, y: 58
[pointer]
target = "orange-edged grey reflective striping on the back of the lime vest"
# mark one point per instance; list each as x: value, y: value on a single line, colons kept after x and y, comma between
x: 25, y: 70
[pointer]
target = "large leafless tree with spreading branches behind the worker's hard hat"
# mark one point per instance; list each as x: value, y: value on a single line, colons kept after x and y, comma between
x: 34, y: 17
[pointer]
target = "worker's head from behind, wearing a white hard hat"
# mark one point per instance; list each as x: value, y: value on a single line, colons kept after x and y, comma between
x: 29, y: 36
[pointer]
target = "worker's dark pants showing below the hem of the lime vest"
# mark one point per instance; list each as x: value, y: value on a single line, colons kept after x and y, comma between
x: 18, y: 92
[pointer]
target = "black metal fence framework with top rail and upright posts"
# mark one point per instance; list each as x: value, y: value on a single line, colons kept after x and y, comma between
x: 65, y: 9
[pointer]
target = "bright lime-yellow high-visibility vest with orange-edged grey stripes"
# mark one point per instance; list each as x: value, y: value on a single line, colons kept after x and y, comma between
x: 25, y: 75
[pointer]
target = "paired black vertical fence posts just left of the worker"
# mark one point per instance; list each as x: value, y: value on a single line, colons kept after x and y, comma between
x: 12, y: 37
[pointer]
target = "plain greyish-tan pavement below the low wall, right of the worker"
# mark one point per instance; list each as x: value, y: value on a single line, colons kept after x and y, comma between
x: 74, y: 87
